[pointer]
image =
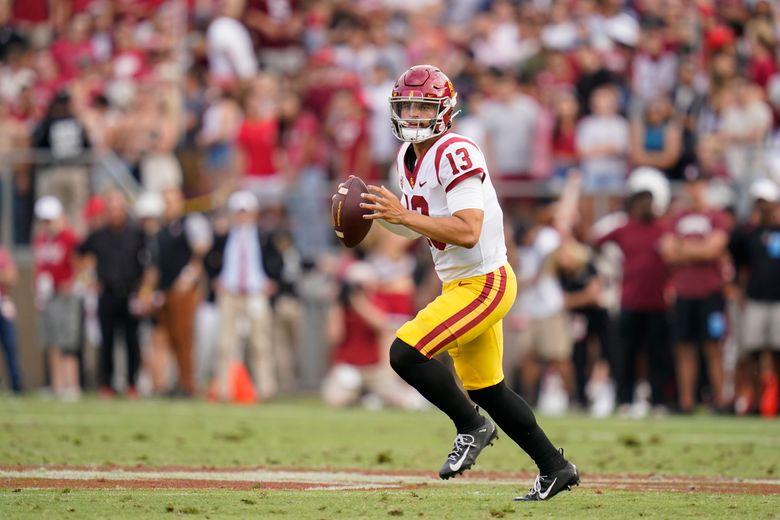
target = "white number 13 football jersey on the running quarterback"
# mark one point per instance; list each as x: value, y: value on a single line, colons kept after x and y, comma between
x: 450, y: 160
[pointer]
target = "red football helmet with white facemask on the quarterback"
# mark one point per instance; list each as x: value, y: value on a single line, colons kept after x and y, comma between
x: 423, y: 90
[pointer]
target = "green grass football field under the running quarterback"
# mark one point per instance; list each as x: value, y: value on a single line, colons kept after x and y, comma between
x: 687, y: 453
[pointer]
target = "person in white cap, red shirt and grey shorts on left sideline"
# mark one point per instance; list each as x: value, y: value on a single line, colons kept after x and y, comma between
x: 54, y: 247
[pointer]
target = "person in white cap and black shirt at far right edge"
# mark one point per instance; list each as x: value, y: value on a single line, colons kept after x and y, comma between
x: 755, y: 248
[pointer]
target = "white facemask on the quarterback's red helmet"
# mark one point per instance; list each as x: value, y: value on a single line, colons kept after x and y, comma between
x: 416, y: 130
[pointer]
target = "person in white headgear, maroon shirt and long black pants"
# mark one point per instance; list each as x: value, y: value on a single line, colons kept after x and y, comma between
x: 643, y: 316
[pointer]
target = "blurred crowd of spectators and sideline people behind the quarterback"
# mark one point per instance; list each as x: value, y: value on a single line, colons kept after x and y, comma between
x: 268, y: 103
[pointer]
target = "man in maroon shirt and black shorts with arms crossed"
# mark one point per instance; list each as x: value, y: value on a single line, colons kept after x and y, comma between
x: 694, y: 247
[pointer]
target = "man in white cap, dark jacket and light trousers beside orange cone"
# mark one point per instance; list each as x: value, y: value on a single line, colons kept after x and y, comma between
x: 248, y: 273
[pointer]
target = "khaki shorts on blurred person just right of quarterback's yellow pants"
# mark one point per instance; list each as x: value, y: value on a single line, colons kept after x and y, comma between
x: 548, y: 338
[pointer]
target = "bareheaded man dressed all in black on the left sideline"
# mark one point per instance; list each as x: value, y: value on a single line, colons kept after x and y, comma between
x: 117, y: 248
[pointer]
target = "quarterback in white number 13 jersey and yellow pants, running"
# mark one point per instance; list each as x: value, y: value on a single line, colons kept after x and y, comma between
x: 448, y: 198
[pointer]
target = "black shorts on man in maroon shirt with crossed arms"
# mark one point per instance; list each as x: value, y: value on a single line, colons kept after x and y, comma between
x: 697, y: 320
